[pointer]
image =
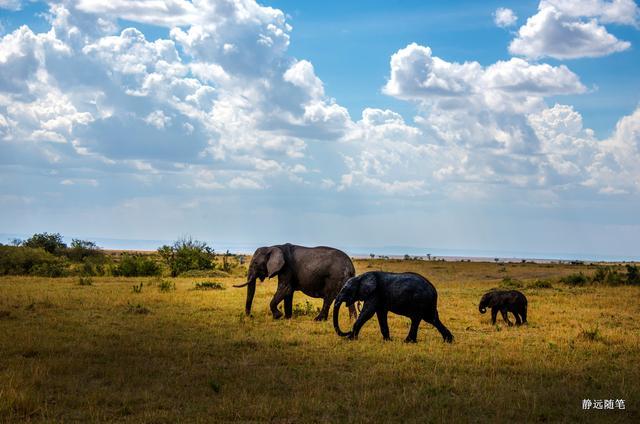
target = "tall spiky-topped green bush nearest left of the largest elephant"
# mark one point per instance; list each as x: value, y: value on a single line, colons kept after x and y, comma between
x: 187, y: 254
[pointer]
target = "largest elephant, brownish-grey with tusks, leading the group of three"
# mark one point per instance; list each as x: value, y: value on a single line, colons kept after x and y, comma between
x: 318, y: 272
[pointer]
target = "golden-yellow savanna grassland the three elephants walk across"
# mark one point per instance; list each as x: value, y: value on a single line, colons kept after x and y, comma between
x: 102, y: 352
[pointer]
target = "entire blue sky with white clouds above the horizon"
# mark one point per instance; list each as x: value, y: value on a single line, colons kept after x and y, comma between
x: 385, y: 126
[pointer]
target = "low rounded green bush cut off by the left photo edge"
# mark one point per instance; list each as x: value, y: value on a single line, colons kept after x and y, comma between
x: 19, y: 260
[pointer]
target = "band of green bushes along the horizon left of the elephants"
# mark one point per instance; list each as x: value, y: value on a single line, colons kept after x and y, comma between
x: 46, y: 255
